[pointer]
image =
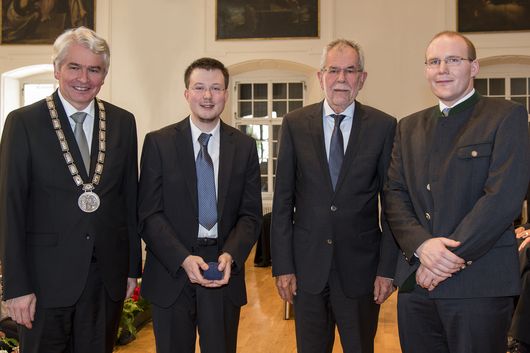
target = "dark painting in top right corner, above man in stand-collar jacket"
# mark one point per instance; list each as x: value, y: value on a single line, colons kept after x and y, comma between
x: 493, y: 15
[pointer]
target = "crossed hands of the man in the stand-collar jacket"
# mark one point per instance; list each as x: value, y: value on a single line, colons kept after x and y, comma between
x: 437, y: 262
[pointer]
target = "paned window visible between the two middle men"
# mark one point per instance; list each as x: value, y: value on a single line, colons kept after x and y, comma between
x: 258, y: 111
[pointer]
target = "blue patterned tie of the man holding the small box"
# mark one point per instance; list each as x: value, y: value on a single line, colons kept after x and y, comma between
x: 206, y: 185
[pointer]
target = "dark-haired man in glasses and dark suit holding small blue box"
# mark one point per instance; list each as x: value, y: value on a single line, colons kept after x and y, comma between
x: 196, y: 219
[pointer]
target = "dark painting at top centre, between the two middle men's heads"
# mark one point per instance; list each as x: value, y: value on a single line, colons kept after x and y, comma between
x: 246, y: 19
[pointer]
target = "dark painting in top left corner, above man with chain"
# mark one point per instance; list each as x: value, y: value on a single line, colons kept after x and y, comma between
x: 41, y: 21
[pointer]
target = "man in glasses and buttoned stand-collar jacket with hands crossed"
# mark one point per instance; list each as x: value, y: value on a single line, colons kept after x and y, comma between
x: 457, y: 179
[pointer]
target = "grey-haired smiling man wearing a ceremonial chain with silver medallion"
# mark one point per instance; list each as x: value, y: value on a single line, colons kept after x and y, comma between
x: 68, y: 180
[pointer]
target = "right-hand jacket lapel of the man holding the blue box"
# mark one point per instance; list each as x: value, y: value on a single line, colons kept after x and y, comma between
x: 226, y: 159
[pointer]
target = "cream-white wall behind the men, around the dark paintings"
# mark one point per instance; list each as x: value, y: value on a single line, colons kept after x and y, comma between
x: 153, y: 41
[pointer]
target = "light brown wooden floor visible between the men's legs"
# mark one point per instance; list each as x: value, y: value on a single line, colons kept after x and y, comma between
x: 262, y: 328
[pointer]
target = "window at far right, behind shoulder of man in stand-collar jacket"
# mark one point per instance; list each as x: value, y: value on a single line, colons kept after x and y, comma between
x: 512, y: 88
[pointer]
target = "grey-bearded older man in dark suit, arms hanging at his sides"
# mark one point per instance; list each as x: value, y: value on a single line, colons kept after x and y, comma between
x: 329, y: 255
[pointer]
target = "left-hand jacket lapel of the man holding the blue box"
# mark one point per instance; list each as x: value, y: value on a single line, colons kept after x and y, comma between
x: 186, y: 158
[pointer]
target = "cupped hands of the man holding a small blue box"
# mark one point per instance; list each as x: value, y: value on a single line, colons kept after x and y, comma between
x: 194, y: 264
